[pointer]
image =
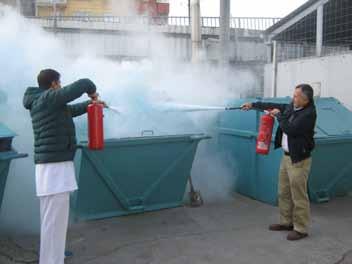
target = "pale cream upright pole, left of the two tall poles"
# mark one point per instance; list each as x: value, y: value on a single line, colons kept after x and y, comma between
x: 196, y: 31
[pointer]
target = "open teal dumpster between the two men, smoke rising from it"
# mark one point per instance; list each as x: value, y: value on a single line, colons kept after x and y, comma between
x: 133, y: 175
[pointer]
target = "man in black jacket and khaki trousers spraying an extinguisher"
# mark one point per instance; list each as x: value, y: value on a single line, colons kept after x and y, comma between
x: 295, y: 135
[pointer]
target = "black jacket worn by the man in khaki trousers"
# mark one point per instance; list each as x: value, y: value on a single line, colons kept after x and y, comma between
x: 298, y: 125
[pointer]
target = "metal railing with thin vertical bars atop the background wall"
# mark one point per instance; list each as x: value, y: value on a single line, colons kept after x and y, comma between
x: 250, y: 23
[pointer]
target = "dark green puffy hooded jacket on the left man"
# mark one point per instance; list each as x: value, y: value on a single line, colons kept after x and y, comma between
x: 52, y: 119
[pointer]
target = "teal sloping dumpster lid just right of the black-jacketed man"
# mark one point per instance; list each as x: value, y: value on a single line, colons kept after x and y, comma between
x: 334, y: 119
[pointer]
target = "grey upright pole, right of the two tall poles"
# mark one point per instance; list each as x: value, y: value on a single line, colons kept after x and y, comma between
x: 224, y: 31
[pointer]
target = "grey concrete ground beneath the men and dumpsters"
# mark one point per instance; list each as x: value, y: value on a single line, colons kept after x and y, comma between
x: 231, y: 232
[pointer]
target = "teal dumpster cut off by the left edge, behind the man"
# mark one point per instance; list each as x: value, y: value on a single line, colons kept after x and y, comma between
x: 7, y: 153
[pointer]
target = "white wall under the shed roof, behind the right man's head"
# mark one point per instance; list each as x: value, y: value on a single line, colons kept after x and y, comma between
x: 332, y: 73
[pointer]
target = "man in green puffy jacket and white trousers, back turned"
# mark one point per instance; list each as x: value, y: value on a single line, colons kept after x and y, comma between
x: 54, y: 150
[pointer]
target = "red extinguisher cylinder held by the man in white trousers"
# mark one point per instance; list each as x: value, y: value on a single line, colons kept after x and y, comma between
x: 95, y: 126
